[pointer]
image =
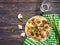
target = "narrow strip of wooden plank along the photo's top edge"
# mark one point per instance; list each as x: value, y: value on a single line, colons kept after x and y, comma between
x: 13, y: 1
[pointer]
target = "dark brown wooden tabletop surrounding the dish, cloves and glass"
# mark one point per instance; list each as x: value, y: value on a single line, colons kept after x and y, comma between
x: 9, y: 11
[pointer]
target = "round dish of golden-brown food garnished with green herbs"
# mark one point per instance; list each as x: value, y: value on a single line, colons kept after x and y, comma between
x: 38, y: 28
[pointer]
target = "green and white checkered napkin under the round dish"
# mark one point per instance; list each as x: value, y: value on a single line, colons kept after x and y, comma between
x: 51, y: 40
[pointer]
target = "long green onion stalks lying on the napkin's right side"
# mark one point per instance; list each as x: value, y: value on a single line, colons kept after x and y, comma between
x: 54, y: 25
